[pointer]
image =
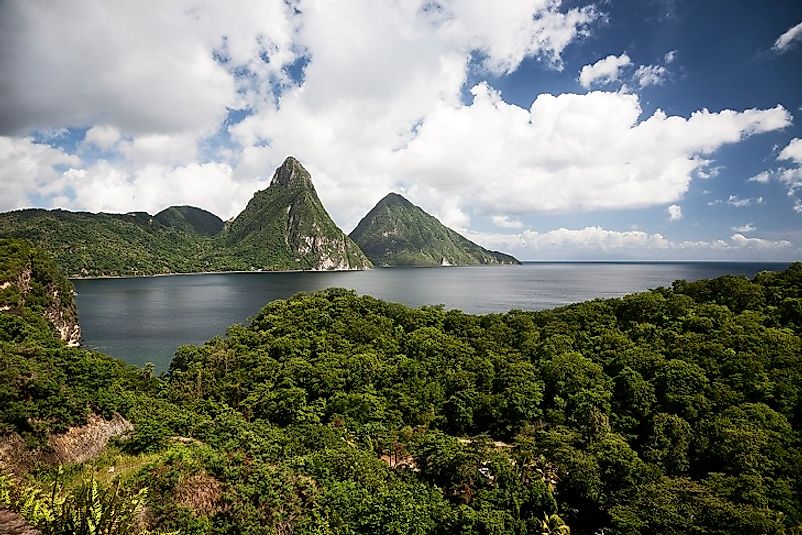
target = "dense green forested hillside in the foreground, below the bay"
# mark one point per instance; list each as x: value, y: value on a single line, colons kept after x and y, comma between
x: 671, y: 411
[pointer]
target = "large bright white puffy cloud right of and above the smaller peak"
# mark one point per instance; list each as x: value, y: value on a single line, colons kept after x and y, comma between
x: 568, y: 152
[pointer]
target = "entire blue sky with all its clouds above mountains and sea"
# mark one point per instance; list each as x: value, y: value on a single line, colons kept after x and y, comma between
x: 551, y: 130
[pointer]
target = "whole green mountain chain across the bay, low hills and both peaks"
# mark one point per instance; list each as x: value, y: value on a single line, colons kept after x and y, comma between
x: 283, y: 227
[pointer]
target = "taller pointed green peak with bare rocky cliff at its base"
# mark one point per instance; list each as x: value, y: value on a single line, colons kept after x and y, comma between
x: 286, y: 227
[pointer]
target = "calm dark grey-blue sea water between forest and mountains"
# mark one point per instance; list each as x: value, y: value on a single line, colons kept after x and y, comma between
x: 145, y: 319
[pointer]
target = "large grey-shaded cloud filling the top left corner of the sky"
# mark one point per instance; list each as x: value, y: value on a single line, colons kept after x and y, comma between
x: 142, y: 67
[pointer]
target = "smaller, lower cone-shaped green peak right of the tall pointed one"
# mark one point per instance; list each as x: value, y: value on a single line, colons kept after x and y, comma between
x: 398, y: 233
